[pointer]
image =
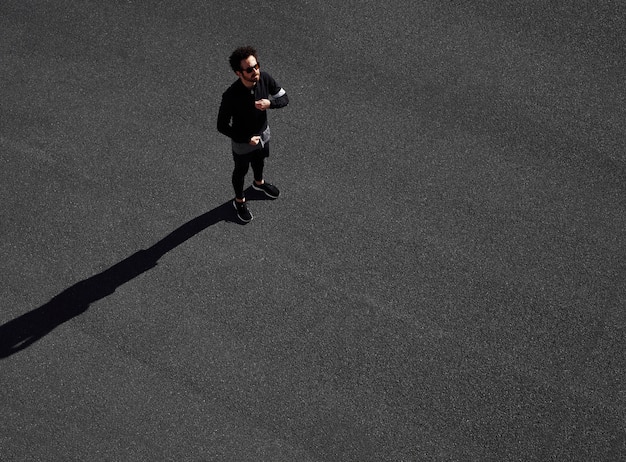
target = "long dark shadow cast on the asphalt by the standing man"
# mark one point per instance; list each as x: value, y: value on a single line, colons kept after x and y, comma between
x: 25, y: 330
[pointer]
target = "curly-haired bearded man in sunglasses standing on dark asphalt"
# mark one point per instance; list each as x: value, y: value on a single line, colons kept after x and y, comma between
x: 243, y: 118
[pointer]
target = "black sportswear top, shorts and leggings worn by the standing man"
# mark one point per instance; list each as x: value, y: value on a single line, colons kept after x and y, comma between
x: 240, y: 120
